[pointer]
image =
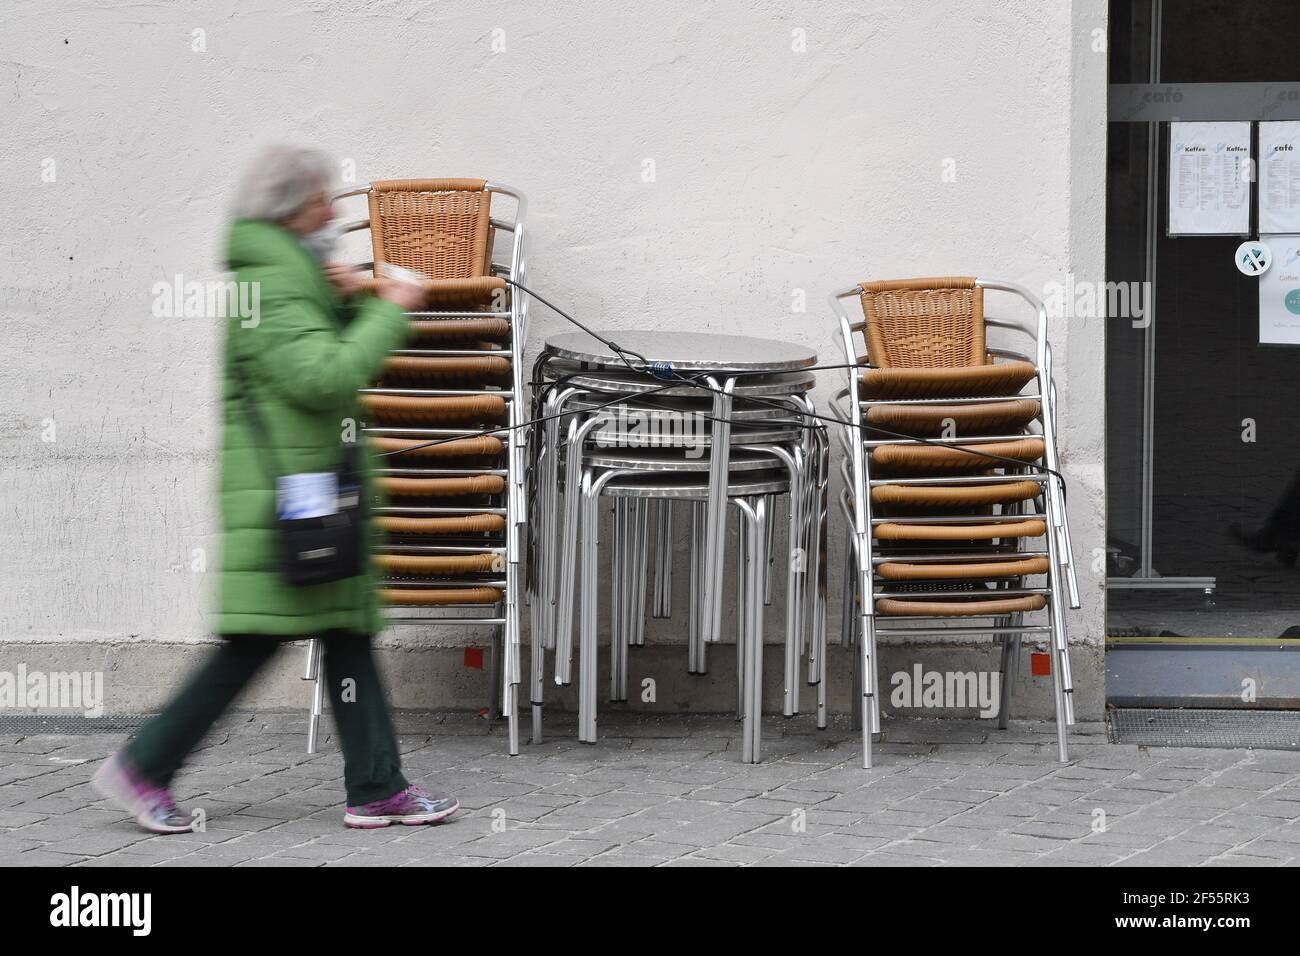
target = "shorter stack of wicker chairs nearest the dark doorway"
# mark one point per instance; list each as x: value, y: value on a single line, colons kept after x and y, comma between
x: 954, y: 488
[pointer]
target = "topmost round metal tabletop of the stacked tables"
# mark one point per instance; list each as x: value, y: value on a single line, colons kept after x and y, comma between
x: 686, y: 351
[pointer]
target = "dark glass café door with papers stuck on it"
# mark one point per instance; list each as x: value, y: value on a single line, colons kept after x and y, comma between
x: 1203, y: 422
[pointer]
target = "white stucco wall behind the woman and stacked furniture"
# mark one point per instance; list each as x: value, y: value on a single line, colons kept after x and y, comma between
x: 778, y: 174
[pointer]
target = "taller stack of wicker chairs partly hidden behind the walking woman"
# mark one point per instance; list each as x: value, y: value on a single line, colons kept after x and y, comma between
x: 444, y: 417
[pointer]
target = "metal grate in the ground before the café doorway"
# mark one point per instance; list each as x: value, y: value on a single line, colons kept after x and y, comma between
x: 1263, y: 730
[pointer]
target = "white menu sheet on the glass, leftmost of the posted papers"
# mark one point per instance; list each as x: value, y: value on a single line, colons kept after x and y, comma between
x: 1210, y: 179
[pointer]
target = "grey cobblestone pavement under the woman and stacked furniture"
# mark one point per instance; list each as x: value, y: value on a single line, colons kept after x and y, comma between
x: 671, y: 791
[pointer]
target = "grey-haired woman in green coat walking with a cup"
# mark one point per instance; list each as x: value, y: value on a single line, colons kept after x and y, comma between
x: 291, y: 417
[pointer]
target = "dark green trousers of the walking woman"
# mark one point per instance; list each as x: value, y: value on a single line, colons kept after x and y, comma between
x: 372, y: 764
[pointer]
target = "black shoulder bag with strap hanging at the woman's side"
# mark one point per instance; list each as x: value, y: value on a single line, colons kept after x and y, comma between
x: 328, y: 548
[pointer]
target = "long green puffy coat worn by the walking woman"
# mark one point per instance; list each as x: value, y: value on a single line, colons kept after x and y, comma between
x: 306, y: 354
